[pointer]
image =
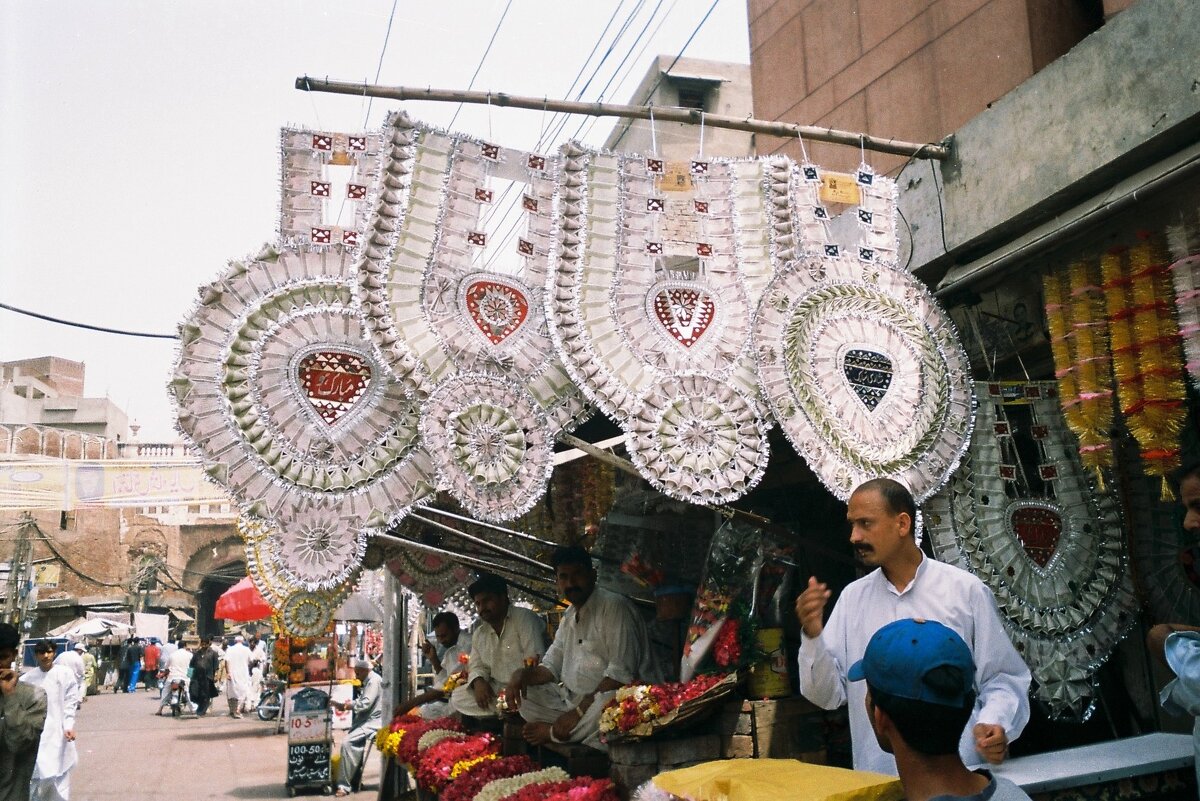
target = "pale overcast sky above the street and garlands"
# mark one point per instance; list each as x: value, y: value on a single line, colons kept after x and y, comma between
x: 140, y: 141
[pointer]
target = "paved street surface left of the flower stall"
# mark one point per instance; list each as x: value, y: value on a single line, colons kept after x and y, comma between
x: 129, y: 754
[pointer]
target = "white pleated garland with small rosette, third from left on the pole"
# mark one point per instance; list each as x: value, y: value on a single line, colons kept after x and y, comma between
x: 661, y: 268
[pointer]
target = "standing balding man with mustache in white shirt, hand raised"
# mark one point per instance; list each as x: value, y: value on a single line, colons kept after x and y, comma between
x: 907, y: 585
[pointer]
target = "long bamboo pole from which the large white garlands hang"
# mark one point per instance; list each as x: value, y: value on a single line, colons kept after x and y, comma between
x: 663, y: 115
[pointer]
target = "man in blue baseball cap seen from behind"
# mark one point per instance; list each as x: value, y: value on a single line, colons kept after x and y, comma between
x: 920, y: 696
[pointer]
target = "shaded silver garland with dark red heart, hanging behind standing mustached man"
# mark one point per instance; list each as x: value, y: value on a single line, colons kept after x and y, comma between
x: 1061, y: 581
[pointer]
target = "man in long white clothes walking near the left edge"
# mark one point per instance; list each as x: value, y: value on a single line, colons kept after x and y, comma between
x: 57, y: 750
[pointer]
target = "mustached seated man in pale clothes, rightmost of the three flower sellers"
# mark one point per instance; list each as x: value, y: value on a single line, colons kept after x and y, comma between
x: 601, y: 646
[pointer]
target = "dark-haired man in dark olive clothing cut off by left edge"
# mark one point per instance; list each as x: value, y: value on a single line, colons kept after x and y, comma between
x: 23, y: 715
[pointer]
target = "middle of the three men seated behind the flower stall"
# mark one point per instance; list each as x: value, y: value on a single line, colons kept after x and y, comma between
x: 506, y: 637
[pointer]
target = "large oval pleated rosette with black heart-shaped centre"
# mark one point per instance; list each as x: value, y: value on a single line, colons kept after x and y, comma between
x: 865, y: 375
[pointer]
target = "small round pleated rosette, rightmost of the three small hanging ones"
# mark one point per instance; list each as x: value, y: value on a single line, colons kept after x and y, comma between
x: 698, y: 439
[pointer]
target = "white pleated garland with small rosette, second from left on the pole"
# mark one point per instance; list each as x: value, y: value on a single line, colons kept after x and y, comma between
x: 465, y: 323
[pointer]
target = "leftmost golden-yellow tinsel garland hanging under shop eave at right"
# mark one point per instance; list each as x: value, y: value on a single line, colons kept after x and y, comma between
x: 1084, y: 363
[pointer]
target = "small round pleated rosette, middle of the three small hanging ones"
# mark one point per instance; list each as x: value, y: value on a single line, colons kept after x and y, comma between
x: 489, y: 441
